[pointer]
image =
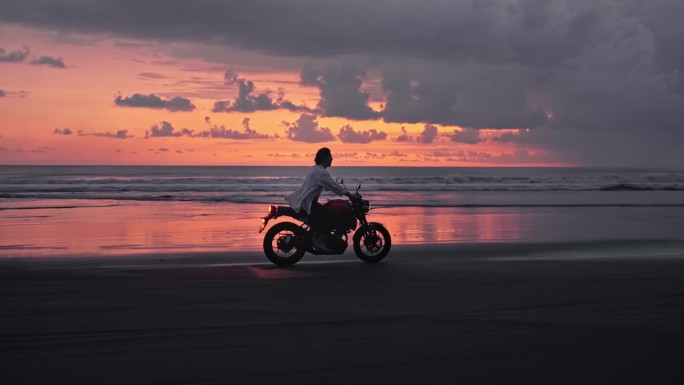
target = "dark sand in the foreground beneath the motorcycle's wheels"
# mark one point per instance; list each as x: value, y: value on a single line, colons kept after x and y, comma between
x: 571, y: 312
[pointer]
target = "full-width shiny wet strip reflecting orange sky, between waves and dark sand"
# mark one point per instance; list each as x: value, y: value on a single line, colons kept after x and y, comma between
x: 100, y: 227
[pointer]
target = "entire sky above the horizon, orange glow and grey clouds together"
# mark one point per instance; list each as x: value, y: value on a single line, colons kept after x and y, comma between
x: 380, y: 82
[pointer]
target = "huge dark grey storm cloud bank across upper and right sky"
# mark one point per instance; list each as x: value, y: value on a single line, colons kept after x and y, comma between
x: 602, y: 78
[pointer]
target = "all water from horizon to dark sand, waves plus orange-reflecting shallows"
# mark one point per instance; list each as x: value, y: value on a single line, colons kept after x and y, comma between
x: 94, y: 211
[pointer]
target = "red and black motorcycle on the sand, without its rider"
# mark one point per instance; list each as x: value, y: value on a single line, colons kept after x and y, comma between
x: 286, y: 243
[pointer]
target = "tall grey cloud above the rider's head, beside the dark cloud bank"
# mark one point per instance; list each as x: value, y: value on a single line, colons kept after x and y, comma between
x: 340, y: 91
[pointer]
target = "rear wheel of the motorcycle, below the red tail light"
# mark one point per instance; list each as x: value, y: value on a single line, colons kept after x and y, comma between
x: 283, y: 244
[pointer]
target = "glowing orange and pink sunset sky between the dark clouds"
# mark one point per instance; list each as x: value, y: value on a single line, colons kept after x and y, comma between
x: 41, y: 103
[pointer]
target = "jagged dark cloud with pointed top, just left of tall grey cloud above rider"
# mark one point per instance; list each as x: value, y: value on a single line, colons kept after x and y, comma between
x: 246, y: 102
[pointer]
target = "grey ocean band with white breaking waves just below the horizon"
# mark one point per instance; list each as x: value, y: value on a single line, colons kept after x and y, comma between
x: 386, y: 186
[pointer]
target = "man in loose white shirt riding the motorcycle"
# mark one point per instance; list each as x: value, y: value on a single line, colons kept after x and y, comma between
x: 306, y: 197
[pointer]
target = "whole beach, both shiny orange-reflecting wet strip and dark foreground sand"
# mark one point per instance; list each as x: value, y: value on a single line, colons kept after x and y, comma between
x: 174, y: 293
